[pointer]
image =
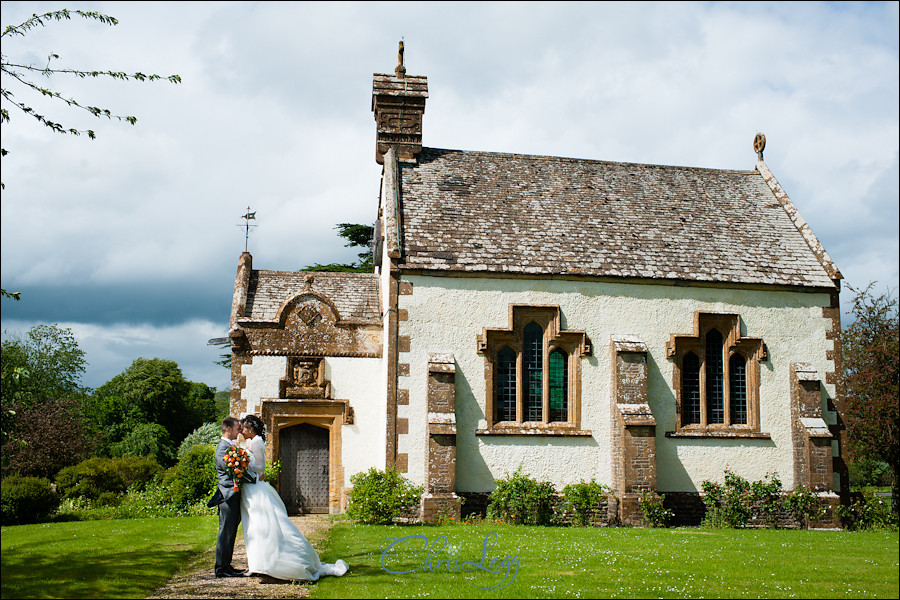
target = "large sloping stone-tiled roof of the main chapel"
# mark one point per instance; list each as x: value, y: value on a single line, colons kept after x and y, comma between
x: 509, y: 213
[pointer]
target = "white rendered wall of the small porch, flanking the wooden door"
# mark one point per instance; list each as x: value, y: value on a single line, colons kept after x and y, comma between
x: 359, y: 380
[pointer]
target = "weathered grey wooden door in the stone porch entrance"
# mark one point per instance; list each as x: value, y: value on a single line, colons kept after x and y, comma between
x: 304, y: 479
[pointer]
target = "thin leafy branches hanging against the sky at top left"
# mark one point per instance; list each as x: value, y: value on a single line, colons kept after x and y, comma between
x: 22, y: 75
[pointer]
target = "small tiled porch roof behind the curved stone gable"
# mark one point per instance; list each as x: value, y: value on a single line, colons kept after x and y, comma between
x: 355, y: 295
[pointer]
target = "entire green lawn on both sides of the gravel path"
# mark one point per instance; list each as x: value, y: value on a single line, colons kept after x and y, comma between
x: 132, y: 558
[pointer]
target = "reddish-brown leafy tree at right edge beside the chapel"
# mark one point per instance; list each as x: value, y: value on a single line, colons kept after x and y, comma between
x: 871, y: 346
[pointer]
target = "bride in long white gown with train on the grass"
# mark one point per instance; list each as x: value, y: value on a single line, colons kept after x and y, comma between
x: 275, y: 546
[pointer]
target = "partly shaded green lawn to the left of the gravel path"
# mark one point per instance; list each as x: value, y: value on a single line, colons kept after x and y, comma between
x: 99, y: 559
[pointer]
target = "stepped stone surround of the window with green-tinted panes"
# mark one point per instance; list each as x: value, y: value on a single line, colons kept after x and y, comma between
x: 574, y: 343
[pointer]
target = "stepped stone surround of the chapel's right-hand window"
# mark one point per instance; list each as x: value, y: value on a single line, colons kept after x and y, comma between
x: 752, y: 349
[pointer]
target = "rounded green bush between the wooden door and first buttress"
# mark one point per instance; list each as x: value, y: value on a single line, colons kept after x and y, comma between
x: 378, y: 497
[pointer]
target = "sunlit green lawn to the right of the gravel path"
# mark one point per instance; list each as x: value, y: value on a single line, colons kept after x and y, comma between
x: 610, y: 562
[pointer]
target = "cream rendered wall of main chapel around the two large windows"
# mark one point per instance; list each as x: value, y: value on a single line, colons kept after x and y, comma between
x: 447, y: 313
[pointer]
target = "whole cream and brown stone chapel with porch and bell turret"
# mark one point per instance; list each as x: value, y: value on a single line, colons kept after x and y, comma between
x: 648, y: 326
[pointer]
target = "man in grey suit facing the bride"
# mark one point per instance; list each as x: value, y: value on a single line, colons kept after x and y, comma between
x: 228, y: 501
